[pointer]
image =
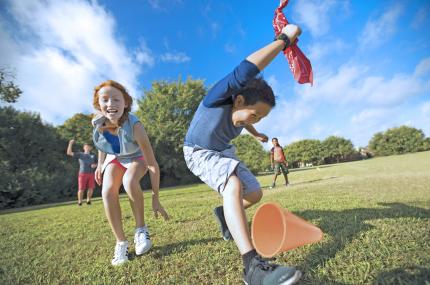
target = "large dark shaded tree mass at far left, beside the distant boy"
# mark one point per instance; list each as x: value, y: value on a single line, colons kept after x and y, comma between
x: 33, y: 166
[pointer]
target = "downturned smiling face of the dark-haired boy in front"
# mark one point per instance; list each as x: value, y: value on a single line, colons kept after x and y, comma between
x: 248, y: 114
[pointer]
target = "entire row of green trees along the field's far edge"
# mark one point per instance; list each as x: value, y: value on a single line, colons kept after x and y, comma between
x: 34, y: 167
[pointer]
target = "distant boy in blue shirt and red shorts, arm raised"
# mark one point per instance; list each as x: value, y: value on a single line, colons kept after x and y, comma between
x: 87, y: 167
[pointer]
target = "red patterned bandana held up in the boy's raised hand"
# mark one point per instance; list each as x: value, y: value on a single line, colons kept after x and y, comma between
x: 299, y: 64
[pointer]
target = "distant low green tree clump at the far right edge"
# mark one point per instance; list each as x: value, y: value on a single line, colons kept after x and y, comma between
x: 398, y: 140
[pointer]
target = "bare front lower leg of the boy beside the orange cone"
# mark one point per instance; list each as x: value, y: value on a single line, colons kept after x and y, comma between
x: 235, y: 216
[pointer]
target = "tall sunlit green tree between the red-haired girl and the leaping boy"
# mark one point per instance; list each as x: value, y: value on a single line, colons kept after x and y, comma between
x: 166, y: 111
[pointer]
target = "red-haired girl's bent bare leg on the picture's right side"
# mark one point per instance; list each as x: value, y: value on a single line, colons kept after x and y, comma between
x: 131, y: 182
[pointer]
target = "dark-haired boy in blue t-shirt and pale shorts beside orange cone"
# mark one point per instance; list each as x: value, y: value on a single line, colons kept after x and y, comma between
x: 237, y: 101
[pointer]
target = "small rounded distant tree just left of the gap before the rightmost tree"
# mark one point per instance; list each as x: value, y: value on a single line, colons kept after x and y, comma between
x: 337, y: 148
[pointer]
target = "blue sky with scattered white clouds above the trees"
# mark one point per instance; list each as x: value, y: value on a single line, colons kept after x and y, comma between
x: 371, y: 59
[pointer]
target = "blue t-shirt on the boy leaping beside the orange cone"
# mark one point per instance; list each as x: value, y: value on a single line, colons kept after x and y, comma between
x: 212, y: 127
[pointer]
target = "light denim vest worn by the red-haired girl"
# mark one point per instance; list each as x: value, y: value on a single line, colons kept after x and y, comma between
x: 128, y: 146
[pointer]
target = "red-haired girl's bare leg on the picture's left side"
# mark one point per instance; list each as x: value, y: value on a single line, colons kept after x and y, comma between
x: 112, y: 178
